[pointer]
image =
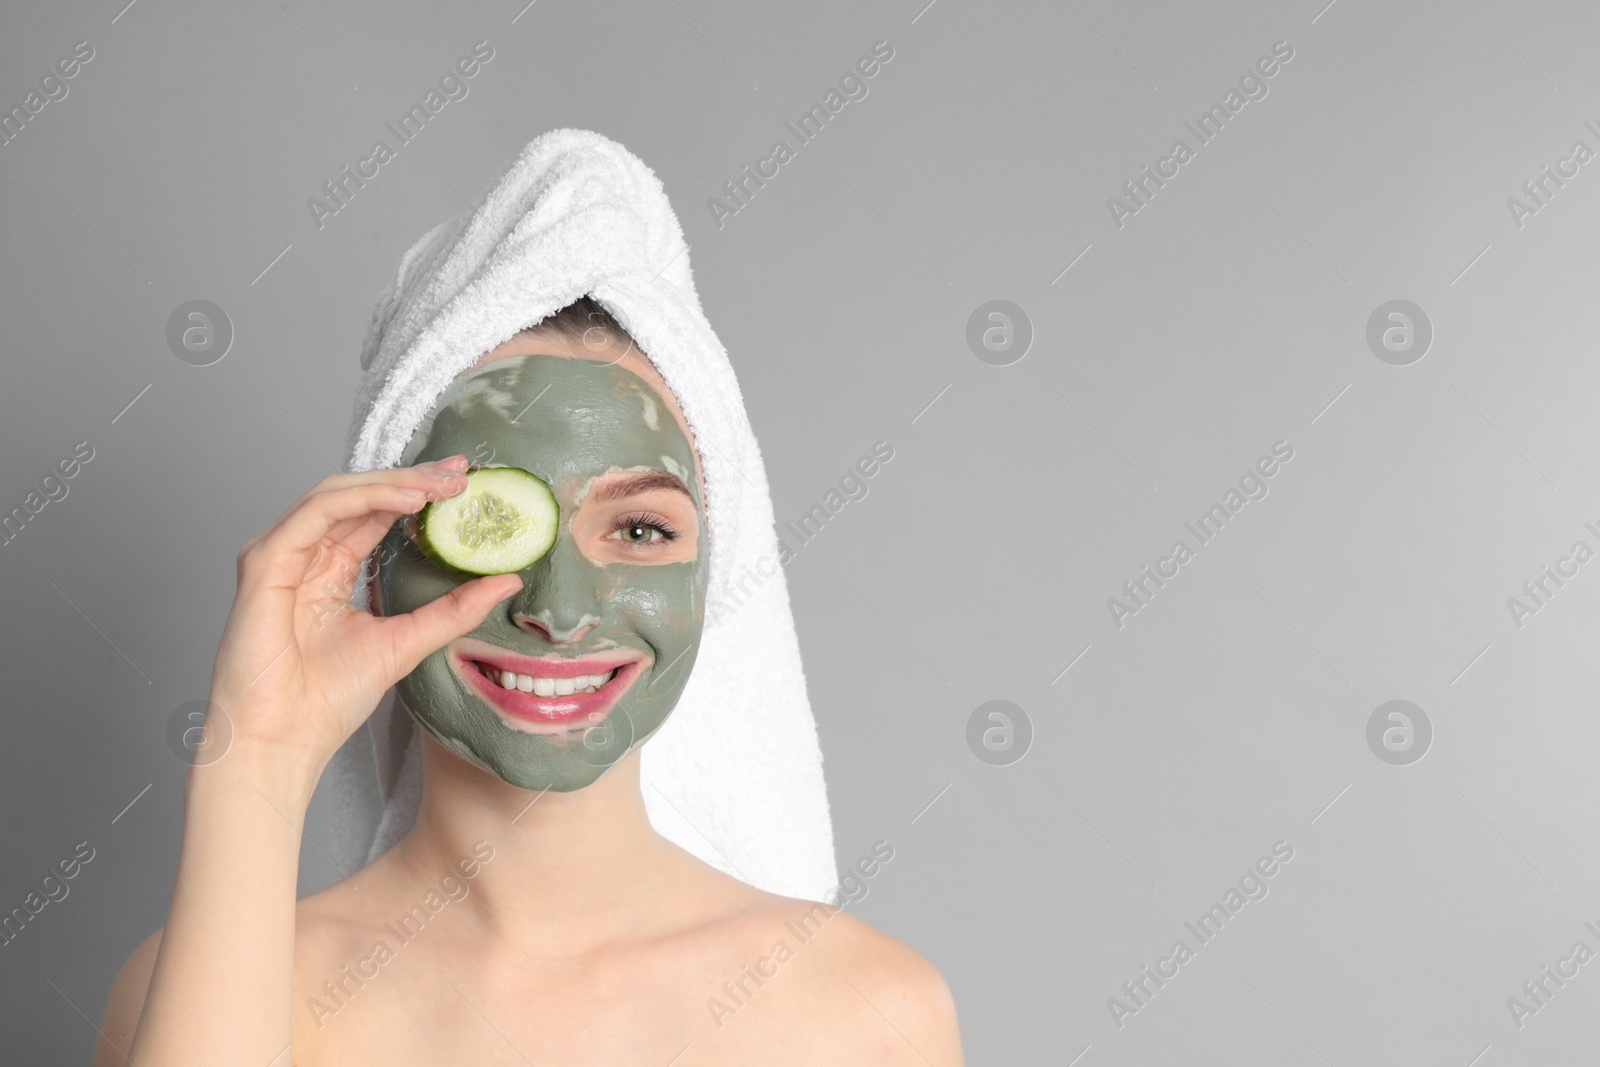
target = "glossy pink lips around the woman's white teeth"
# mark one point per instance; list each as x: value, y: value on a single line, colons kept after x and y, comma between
x: 545, y: 714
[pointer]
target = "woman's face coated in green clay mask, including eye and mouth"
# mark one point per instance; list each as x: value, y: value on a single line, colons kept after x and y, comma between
x: 590, y: 658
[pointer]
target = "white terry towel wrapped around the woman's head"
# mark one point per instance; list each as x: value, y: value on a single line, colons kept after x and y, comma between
x: 735, y: 775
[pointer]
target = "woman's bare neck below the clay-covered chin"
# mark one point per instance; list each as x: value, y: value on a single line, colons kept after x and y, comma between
x: 566, y: 869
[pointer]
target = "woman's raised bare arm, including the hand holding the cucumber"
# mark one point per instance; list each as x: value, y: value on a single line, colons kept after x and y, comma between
x: 297, y: 673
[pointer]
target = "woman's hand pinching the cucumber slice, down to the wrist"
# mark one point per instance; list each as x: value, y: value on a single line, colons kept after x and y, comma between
x: 300, y: 668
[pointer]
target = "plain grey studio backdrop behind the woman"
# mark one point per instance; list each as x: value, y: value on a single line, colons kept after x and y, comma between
x: 1223, y: 318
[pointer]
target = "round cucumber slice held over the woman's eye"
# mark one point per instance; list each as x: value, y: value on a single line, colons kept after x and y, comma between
x: 505, y: 521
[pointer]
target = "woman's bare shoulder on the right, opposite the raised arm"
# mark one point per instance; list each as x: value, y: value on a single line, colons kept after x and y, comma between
x: 881, y: 1001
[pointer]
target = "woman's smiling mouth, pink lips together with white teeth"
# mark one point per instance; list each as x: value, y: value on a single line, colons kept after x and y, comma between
x: 548, y: 695
